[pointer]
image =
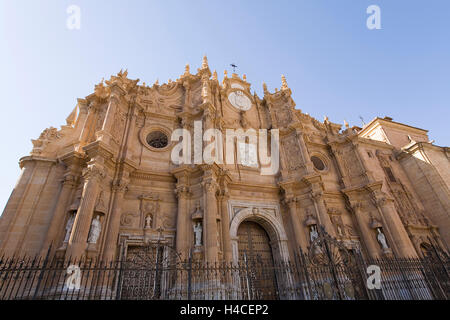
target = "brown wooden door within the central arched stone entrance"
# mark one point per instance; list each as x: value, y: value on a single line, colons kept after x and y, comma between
x: 255, y: 252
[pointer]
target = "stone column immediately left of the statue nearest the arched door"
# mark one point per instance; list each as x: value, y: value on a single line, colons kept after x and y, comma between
x: 183, y: 222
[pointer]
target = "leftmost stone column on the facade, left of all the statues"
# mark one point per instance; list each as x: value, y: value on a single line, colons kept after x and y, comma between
x: 57, y: 222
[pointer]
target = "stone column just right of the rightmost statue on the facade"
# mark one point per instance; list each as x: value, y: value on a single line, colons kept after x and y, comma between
x: 394, y: 227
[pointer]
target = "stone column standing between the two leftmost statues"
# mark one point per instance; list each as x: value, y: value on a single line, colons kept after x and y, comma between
x: 78, y: 238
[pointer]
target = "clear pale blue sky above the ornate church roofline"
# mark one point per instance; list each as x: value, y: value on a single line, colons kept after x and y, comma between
x: 334, y: 65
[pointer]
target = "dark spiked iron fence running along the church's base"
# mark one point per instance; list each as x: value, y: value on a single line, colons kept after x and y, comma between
x: 302, y: 278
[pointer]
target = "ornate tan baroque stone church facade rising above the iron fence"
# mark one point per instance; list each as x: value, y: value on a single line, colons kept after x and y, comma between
x: 104, y: 184
